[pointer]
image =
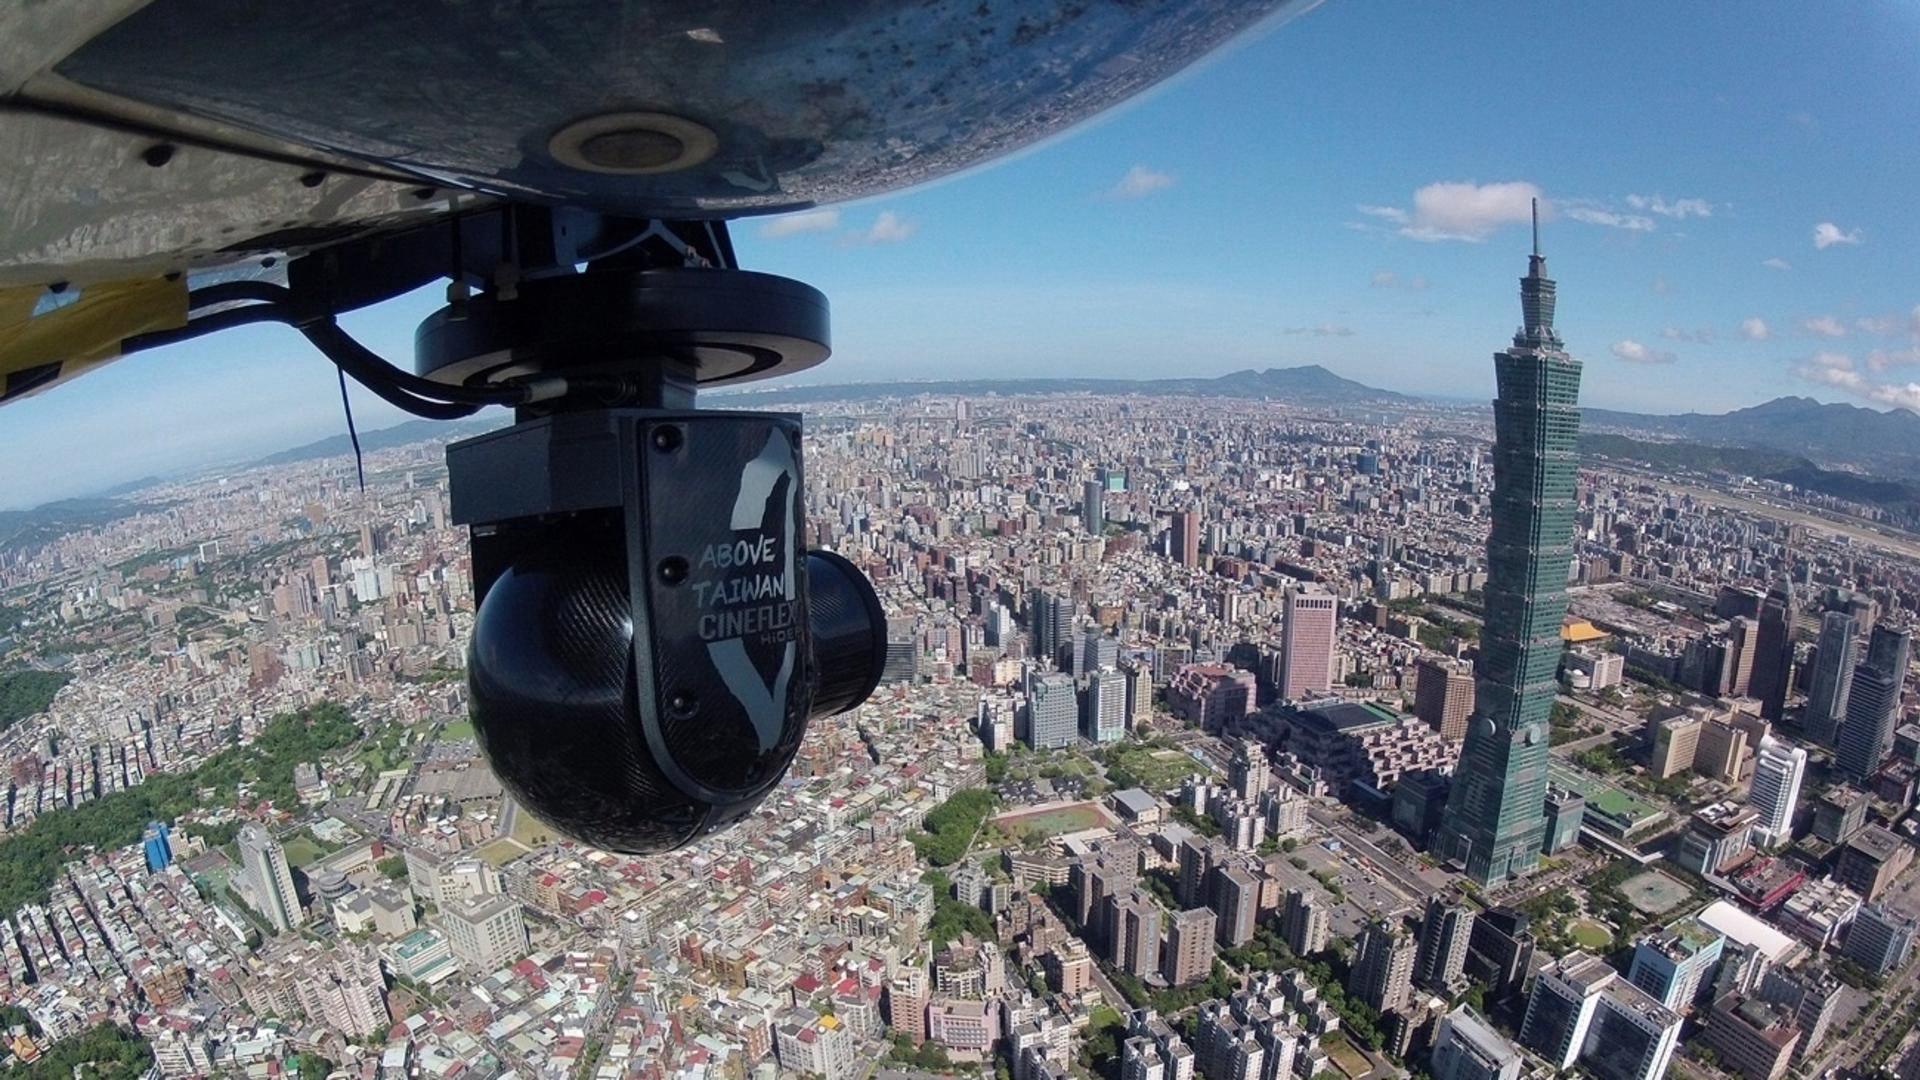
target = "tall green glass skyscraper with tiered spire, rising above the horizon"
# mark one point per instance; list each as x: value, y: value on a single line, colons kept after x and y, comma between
x: 1495, y: 816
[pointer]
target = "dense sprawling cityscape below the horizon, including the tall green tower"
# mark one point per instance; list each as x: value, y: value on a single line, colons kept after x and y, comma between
x: 1228, y: 739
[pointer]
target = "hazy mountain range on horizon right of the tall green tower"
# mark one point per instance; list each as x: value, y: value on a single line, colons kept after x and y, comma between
x: 1827, y: 435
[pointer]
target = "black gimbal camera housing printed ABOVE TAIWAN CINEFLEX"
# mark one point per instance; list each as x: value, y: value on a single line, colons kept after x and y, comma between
x: 648, y: 647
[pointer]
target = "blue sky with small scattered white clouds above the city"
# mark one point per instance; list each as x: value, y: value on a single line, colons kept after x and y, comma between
x: 1729, y: 189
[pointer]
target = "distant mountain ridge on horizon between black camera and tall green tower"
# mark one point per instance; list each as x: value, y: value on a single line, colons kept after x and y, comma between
x: 1308, y: 385
